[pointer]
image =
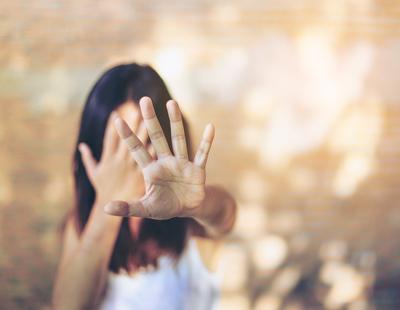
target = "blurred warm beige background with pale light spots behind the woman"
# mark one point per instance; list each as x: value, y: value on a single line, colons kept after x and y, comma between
x: 305, y: 96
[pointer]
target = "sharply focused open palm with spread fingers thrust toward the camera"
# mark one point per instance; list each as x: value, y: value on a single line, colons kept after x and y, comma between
x: 174, y: 185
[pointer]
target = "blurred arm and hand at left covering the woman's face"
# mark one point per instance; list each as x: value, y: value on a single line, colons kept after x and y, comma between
x: 83, y: 268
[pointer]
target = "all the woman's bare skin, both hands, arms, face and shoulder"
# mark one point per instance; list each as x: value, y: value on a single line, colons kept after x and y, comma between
x: 139, y: 182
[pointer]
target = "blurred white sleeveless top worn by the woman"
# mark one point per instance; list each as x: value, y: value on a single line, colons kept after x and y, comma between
x: 181, y: 285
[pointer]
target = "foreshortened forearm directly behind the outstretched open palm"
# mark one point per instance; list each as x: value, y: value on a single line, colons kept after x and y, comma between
x: 217, y: 212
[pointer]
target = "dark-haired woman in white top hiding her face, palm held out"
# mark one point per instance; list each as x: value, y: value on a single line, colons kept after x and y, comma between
x: 142, y: 212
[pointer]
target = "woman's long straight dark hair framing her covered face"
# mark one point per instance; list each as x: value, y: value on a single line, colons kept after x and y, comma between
x: 116, y: 86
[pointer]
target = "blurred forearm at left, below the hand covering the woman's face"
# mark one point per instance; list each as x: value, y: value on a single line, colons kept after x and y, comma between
x: 83, y: 273
